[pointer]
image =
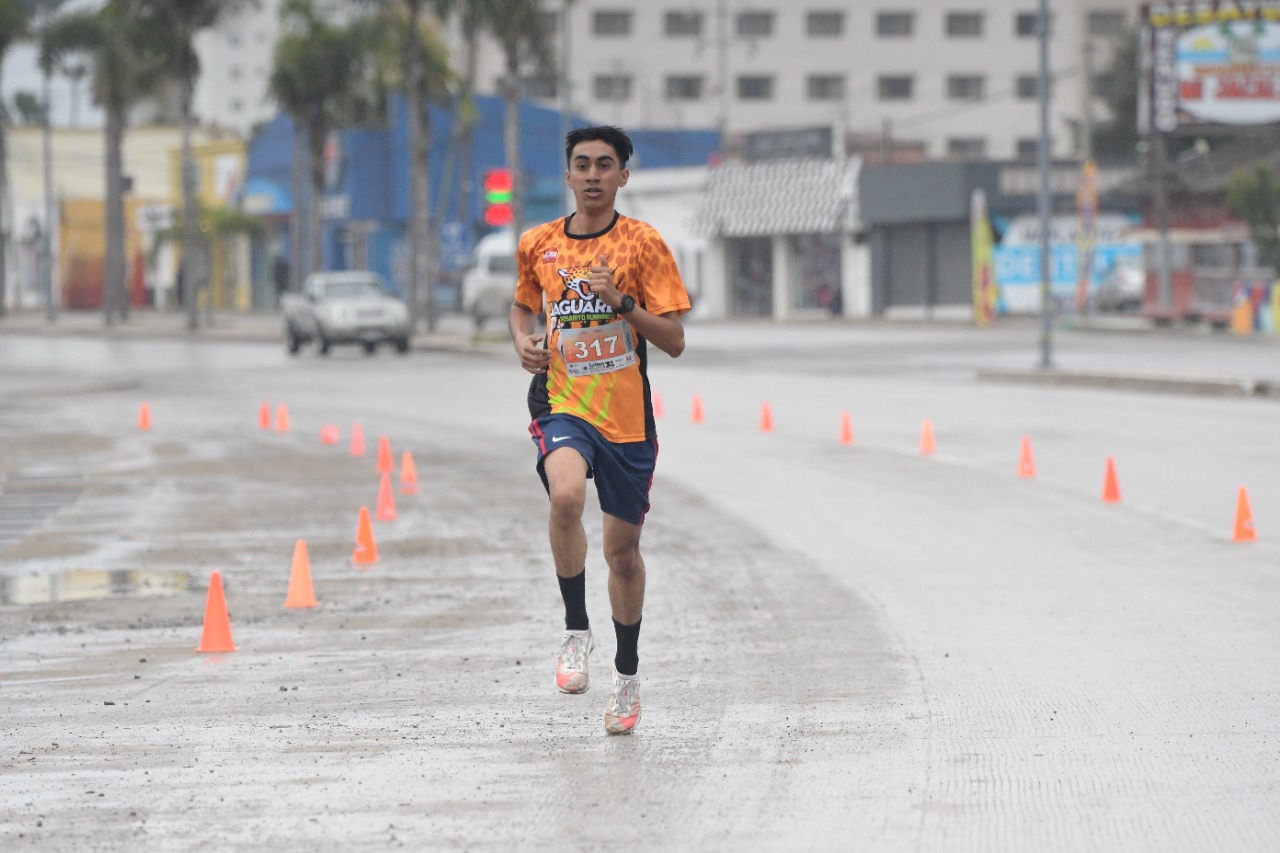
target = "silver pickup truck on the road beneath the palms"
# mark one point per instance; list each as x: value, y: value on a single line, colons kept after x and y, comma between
x: 346, y: 308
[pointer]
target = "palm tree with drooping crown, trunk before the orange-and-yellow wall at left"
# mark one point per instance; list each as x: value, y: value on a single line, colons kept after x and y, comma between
x: 127, y: 65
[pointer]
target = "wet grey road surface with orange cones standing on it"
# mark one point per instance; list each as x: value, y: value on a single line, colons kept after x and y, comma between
x: 845, y: 646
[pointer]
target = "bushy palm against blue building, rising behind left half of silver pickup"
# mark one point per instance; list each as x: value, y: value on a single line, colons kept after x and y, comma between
x: 314, y: 75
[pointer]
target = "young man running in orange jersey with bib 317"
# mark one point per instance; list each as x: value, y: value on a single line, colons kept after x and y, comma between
x: 611, y: 288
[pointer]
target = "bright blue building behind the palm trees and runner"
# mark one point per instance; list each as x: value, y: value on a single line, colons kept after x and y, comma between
x: 367, y: 206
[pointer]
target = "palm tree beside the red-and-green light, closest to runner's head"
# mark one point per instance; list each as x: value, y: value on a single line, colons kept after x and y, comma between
x: 520, y: 29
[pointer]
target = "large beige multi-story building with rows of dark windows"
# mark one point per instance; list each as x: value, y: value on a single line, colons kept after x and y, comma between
x: 957, y: 76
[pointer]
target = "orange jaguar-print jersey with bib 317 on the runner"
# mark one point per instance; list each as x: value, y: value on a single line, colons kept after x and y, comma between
x: 598, y: 371
